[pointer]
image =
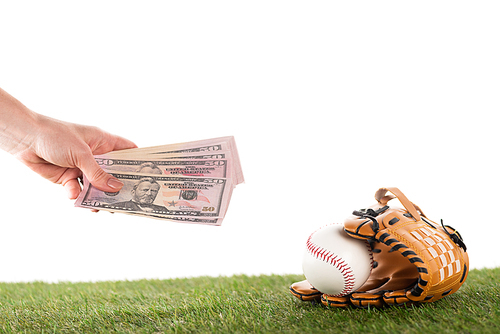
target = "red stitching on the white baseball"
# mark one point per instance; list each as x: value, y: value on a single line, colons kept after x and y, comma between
x: 340, y: 264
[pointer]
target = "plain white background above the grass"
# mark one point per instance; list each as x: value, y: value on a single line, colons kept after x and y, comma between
x: 328, y: 101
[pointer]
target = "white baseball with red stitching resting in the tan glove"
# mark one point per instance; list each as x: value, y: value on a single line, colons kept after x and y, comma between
x: 334, y: 263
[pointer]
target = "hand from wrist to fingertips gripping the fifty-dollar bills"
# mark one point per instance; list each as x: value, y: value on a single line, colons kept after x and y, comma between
x: 62, y: 152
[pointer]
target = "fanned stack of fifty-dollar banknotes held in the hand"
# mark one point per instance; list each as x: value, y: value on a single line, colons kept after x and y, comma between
x: 188, y: 182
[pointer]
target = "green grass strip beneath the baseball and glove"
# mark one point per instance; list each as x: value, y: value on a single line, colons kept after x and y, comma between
x: 238, y: 304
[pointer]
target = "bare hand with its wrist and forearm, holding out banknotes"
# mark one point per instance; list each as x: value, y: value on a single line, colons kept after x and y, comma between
x: 59, y: 151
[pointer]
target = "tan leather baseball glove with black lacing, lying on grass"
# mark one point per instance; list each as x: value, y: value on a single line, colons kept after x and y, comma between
x: 415, y: 259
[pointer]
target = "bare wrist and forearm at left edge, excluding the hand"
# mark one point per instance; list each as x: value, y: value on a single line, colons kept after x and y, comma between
x: 18, y: 124
